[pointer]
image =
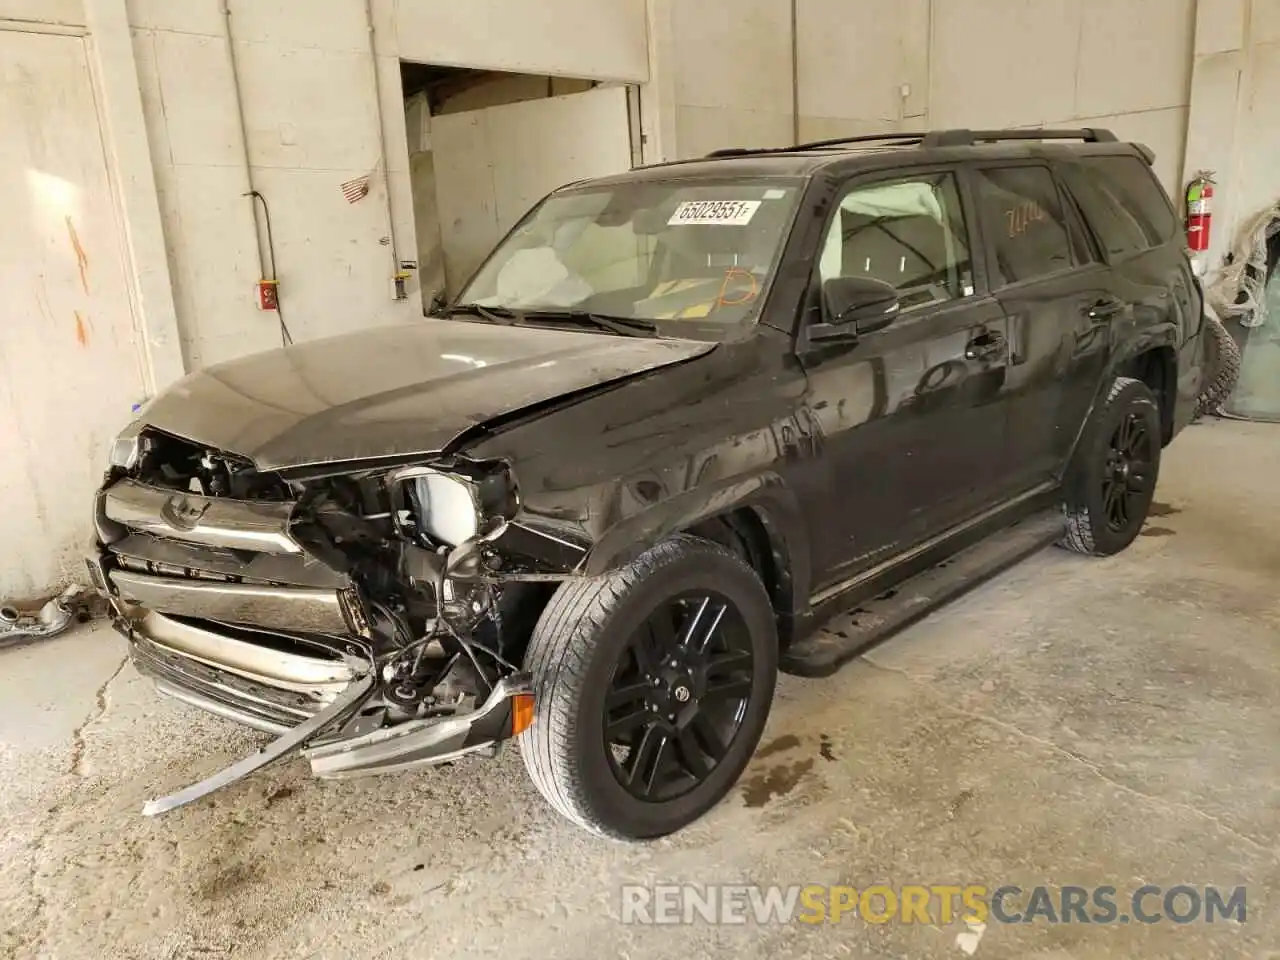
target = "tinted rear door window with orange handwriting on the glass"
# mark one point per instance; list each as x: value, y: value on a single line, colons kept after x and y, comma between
x: 1025, y: 225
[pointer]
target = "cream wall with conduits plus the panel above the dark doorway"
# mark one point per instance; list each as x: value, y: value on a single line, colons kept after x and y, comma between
x: 312, y: 122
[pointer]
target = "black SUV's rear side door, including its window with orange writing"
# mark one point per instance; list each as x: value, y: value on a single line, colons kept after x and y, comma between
x: 1060, y: 308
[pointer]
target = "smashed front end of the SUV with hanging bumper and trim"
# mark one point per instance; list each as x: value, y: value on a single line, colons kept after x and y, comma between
x: 372, y: 618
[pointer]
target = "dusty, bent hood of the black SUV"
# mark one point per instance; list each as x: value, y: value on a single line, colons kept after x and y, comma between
x: 394, y: 391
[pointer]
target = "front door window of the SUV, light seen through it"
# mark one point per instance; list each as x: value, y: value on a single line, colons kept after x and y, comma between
x: 908, y: 234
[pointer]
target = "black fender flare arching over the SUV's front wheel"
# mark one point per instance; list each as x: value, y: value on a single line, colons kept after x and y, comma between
x: 766, y: 495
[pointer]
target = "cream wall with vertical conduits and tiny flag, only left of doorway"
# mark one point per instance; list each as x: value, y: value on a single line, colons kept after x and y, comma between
x: 310, y: 120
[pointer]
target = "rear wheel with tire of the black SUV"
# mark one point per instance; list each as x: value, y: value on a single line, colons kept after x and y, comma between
x: 1114, y: 477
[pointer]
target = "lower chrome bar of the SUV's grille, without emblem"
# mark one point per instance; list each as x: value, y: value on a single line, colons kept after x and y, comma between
x: 303, y: 610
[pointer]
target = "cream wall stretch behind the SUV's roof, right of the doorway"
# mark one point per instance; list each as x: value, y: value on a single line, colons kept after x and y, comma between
x: 880, y: 66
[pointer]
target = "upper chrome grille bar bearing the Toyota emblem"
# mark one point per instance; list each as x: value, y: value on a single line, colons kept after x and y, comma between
x: 213, y: 522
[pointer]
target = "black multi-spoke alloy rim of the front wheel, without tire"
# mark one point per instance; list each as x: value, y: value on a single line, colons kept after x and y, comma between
x: 679, y: 697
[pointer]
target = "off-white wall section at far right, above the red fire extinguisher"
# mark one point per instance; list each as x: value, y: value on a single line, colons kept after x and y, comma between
x: 1236, y: 112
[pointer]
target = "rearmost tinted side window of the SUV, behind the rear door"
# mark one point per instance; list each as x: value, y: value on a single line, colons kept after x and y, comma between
x: 1123, y: 203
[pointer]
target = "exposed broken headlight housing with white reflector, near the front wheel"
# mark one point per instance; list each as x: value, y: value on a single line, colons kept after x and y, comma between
x: 451, y: 505
